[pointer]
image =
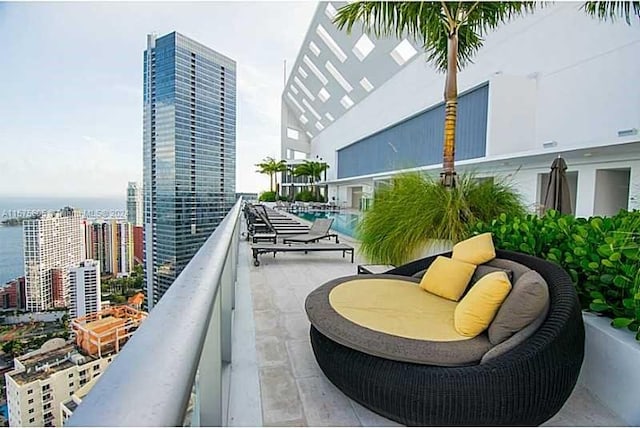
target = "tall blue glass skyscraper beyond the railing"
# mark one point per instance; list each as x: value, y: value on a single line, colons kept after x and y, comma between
x: 189, y: 153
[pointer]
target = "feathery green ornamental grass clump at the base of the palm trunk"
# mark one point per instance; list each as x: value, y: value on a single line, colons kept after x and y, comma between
x: 416, y: 210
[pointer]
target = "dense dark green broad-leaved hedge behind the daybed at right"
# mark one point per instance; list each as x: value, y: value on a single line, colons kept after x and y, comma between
x: 601, y: 254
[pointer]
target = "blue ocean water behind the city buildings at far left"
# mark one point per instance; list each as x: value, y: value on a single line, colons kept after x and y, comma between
x: 11, y: 246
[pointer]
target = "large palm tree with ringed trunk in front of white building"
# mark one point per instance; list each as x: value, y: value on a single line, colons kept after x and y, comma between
x: 450, y: 32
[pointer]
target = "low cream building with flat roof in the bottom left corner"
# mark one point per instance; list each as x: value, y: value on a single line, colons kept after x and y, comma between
x: 43, y: 379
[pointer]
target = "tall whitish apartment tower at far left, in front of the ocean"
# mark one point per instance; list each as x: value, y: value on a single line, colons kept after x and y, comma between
x: 53, y: 243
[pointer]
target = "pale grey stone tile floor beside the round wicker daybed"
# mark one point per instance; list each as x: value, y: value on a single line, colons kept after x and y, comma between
x: 293, y: 390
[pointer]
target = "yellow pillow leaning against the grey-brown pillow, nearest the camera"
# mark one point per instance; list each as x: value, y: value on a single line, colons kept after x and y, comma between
x: 477, y: 309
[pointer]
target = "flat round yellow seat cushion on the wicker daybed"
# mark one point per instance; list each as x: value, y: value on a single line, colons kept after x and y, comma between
x: 396, y: 307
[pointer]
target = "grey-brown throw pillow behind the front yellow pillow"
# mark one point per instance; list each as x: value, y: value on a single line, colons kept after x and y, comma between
x: 526, y: 301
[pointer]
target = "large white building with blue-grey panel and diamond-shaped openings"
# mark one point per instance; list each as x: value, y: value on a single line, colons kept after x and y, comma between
x: 556, y: 82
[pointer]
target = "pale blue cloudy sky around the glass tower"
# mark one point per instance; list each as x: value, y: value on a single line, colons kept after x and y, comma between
x: 71, y: 87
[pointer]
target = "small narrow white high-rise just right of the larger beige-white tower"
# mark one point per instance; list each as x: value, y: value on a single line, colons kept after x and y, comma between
x: 84, y: 288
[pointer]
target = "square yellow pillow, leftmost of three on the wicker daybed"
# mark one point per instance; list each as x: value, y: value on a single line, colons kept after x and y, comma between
x: 447, y: 278
